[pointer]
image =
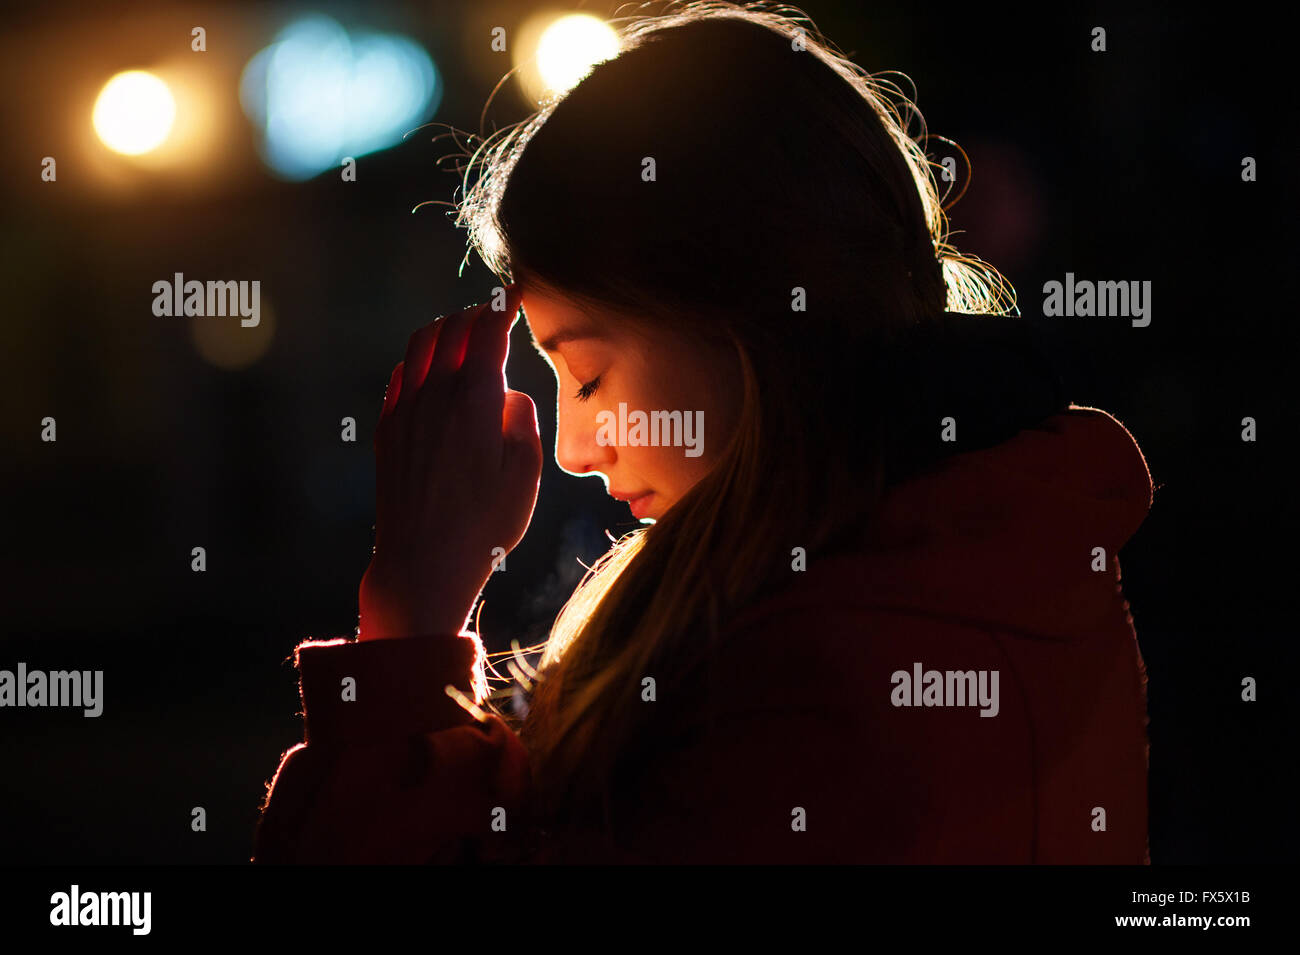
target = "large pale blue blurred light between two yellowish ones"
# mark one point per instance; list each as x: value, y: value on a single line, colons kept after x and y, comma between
x: 319, y: 95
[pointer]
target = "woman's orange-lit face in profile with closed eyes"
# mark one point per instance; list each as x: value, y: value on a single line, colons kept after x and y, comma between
x: 603, y: 362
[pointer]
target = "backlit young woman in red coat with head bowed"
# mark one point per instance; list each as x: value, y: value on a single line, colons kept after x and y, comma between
x: 876, y: 615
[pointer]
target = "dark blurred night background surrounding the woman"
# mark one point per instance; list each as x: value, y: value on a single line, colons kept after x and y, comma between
x: 1117, y: 166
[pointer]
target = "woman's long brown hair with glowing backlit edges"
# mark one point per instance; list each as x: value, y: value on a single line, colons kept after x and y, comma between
x: 781, y: 166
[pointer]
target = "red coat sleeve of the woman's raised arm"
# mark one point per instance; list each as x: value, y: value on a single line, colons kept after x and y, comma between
x: 392, y: 770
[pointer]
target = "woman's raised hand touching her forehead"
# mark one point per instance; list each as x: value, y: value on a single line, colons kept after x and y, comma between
x: 458, y: 463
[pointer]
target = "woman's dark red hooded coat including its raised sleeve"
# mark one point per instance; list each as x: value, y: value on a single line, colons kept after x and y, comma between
x: 985, y: 566
